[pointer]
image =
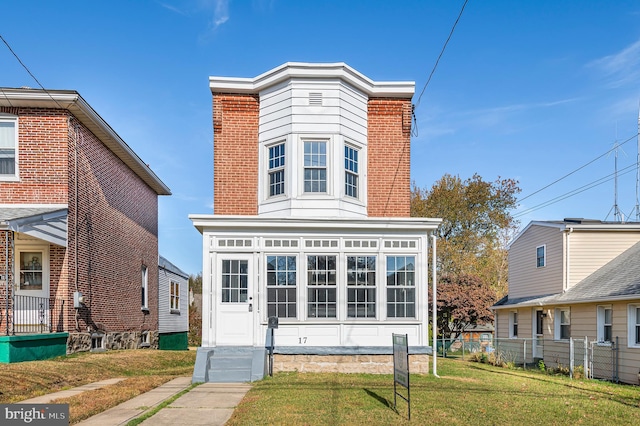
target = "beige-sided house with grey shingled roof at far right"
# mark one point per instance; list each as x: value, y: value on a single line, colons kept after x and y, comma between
x: 576, y: 279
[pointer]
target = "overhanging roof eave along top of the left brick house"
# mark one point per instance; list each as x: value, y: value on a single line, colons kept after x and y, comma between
x: 73, y: 102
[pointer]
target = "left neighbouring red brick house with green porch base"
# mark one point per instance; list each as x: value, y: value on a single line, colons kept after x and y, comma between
x: 78, y: 230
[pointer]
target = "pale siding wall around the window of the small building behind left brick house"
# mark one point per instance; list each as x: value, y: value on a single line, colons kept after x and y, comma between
x: 169, y: 322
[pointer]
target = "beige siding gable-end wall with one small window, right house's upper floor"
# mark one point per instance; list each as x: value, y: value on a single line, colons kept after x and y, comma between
x: 525, y: 278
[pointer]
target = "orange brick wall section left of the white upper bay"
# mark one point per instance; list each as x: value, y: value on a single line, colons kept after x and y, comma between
x: 235, y: 154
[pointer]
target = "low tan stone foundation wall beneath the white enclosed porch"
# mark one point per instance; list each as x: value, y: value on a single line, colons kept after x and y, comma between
x: 373, y: 364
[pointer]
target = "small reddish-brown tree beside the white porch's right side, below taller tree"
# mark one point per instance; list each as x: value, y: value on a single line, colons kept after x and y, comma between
x: 462, y: 301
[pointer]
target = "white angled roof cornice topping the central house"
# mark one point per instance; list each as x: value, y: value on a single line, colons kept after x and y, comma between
x: 305, y: 70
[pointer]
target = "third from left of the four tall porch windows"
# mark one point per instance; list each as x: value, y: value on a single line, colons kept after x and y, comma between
x: 361, y: 286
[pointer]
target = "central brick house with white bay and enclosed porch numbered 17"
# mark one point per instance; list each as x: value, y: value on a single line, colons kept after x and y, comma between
x: 311, y: 222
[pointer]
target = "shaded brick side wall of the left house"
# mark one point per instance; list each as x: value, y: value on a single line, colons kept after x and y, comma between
x: 117, y: 233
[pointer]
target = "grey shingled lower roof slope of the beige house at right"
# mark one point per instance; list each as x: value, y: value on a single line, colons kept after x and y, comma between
x: 617, y: 280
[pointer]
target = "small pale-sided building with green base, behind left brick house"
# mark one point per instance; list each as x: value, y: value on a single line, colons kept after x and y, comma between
x: 173, y: 306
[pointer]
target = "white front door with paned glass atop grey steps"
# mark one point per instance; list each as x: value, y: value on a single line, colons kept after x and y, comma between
x: 235, y: 310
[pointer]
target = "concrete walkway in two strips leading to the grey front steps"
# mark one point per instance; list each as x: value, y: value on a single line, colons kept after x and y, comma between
x: 206, y: 404
